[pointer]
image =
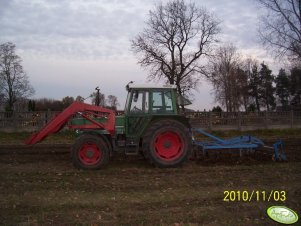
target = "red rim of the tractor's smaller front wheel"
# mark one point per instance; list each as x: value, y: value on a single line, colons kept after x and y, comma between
x: 89, y: 154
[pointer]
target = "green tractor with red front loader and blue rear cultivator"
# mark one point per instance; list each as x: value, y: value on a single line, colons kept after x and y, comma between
x: 151, y: 126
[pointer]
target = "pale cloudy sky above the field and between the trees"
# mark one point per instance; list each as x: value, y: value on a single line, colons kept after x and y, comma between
x: 69, y: 47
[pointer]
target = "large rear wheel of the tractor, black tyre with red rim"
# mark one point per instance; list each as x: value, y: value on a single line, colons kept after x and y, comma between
x: 167, y: 143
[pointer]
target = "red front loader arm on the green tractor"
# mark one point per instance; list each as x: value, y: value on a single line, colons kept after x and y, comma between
x: 85, y: 110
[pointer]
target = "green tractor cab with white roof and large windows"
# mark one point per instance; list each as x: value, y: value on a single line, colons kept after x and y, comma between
x: 149, y: 103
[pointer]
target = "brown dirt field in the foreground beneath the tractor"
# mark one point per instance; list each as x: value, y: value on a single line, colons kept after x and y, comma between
x: 39, y: 186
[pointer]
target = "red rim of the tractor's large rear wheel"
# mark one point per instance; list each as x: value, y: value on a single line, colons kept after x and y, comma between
x: 168, y: 146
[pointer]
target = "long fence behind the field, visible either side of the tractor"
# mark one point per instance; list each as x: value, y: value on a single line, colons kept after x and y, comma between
x: 32, y: 121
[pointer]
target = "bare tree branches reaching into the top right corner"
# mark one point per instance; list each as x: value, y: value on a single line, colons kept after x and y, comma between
x: 280, y: 28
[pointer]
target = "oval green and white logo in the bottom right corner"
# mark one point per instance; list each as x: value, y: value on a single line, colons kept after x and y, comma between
x: 282, y: 214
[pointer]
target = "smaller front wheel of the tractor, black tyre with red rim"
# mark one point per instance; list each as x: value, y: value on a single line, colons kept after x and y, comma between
x: 90, y: 152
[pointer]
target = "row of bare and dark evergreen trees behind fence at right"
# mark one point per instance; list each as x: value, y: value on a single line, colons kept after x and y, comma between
x: 246, y: 84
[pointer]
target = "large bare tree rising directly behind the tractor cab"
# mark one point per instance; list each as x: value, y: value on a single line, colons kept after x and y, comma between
x: 177, y: 36
